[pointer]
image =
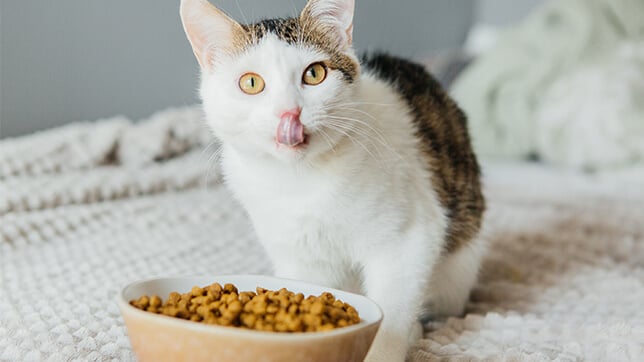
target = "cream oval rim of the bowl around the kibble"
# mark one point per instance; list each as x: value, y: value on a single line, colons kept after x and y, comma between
x: 125, y: 306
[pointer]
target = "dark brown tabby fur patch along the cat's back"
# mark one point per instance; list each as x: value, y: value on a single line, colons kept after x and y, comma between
x: 441, y: 128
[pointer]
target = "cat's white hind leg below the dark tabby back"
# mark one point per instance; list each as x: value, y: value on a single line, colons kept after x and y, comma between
x: 452, y: 280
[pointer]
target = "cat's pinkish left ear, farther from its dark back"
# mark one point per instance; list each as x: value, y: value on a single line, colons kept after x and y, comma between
x: 209, y: 30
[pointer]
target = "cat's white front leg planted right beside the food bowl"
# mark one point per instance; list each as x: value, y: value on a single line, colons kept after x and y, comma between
x: 395, y: 278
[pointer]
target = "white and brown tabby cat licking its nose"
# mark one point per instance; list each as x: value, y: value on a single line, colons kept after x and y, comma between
x: 356, y: 174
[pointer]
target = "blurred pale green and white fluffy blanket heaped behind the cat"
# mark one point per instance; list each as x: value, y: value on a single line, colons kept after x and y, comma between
x: 565, y: 85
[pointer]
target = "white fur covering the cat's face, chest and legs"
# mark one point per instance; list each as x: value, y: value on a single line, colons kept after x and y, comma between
x: 356, y: 213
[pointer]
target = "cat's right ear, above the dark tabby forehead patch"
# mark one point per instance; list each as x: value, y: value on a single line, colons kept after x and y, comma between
x: 335, y: 16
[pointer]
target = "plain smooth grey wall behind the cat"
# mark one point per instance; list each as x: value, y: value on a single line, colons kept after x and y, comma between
x: 70, y: 60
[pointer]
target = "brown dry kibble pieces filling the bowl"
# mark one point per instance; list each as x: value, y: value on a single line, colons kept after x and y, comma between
x: 264, y: 310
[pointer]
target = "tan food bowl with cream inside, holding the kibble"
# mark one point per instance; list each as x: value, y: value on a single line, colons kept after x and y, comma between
x: 157, y: 337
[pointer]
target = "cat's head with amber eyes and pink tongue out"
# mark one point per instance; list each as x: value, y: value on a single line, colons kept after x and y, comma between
x: 275, y: 87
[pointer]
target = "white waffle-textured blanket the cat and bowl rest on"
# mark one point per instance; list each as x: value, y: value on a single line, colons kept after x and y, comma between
x: 88, y: 208
